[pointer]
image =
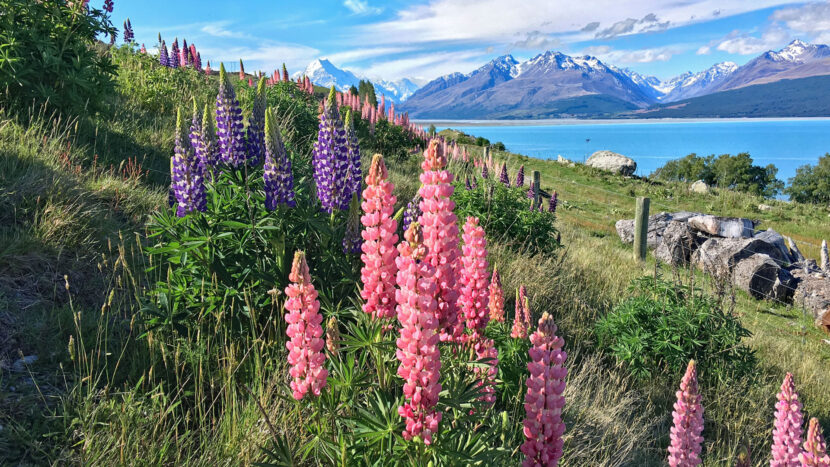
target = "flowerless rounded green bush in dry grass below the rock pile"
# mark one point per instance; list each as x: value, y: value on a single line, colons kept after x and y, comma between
x: 663, y: 325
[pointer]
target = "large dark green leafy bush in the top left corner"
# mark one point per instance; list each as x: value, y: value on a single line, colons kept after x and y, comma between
x: 47, y: 54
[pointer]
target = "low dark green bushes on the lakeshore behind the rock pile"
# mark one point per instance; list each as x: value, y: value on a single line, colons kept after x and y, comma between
x: 725, y: 171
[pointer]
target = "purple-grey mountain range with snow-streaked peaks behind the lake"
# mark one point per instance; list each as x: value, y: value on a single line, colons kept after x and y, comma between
x: 553, y: 84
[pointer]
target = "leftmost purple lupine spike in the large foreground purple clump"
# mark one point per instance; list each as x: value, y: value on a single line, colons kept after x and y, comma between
x: 186, y: 178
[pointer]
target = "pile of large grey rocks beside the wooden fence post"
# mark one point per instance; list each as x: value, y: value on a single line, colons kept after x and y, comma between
x: 765, y: 264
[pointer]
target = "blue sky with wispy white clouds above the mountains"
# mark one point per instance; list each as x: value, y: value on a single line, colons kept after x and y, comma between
x: 426, y: 39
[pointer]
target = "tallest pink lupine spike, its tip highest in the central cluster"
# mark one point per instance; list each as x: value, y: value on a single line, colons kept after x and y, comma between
x: 441, y: 237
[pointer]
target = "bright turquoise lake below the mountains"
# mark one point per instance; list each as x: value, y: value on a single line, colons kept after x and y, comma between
x: 787, y: 143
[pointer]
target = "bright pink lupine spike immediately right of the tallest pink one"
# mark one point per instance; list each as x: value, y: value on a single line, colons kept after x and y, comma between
x: 474, y: 278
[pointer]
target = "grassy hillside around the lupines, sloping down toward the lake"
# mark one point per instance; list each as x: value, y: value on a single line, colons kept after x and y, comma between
x: 77, y: 199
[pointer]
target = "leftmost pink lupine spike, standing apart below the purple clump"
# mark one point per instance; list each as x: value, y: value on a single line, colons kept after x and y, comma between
x: 304, y: 331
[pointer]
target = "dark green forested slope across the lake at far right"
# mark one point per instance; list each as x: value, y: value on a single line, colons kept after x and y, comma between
x: 805, y: 97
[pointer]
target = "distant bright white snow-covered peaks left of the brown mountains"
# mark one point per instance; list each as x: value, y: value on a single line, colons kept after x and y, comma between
x: 324, y: 73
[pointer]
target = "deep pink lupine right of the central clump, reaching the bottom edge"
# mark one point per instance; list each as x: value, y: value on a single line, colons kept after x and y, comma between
x: 544, y: 401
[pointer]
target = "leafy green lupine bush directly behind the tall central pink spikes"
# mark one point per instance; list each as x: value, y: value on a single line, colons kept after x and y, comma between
x: 505, y: 214
